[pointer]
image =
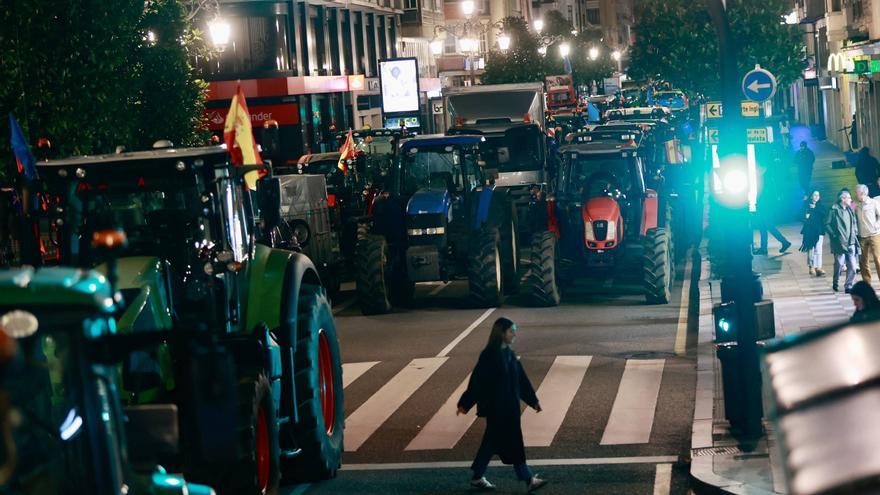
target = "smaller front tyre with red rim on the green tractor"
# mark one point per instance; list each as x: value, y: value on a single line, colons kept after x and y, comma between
x: 257, y: 470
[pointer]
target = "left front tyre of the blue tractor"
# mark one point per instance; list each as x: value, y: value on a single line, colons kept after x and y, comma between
x: 371, y: 260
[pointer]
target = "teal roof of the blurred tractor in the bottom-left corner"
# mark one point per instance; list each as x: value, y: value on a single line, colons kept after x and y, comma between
x: 55, y: 287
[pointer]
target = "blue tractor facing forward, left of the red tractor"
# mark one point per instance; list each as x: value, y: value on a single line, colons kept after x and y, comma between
x: 441, y: 219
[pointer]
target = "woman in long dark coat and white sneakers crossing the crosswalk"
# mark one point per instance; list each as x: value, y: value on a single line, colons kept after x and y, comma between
x: 497, y: 385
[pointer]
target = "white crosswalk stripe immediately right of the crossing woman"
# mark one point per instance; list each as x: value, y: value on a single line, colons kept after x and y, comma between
x: 556, y: 394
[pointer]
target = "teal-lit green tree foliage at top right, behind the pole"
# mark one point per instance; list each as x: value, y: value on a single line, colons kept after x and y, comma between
x: 676, y: 40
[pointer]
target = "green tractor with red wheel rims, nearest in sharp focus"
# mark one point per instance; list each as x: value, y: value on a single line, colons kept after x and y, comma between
x: 197, y: 259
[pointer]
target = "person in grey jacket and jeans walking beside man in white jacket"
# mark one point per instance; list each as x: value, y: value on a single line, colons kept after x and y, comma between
x: 843, y: 231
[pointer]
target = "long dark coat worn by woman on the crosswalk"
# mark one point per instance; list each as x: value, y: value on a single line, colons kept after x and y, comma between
x: 496, y: 387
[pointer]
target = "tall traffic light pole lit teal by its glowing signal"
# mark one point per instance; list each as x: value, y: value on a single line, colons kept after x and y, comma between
x: 738, y: 281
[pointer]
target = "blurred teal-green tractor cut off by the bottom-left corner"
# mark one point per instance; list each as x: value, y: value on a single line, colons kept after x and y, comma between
x: 73, y: 435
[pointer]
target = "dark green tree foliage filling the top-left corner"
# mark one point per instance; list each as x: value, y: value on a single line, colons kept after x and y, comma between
x: 84, y: 75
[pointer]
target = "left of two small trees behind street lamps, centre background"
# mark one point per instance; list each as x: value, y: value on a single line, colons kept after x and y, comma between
x: 521, y: 63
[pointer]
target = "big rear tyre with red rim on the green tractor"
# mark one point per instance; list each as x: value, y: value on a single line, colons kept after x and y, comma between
x: 317, y: 379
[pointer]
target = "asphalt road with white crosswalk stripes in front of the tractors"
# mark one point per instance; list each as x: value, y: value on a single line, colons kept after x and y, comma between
x: 614, y: 375
